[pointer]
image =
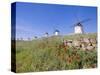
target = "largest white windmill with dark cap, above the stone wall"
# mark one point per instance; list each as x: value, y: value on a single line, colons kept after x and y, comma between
x: 78, y: 27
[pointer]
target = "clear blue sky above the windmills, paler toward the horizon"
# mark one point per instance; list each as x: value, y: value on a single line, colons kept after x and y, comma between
x: 34, y: 19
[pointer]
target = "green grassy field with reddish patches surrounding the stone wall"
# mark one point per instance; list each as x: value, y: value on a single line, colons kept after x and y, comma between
x: 45, y: 55
